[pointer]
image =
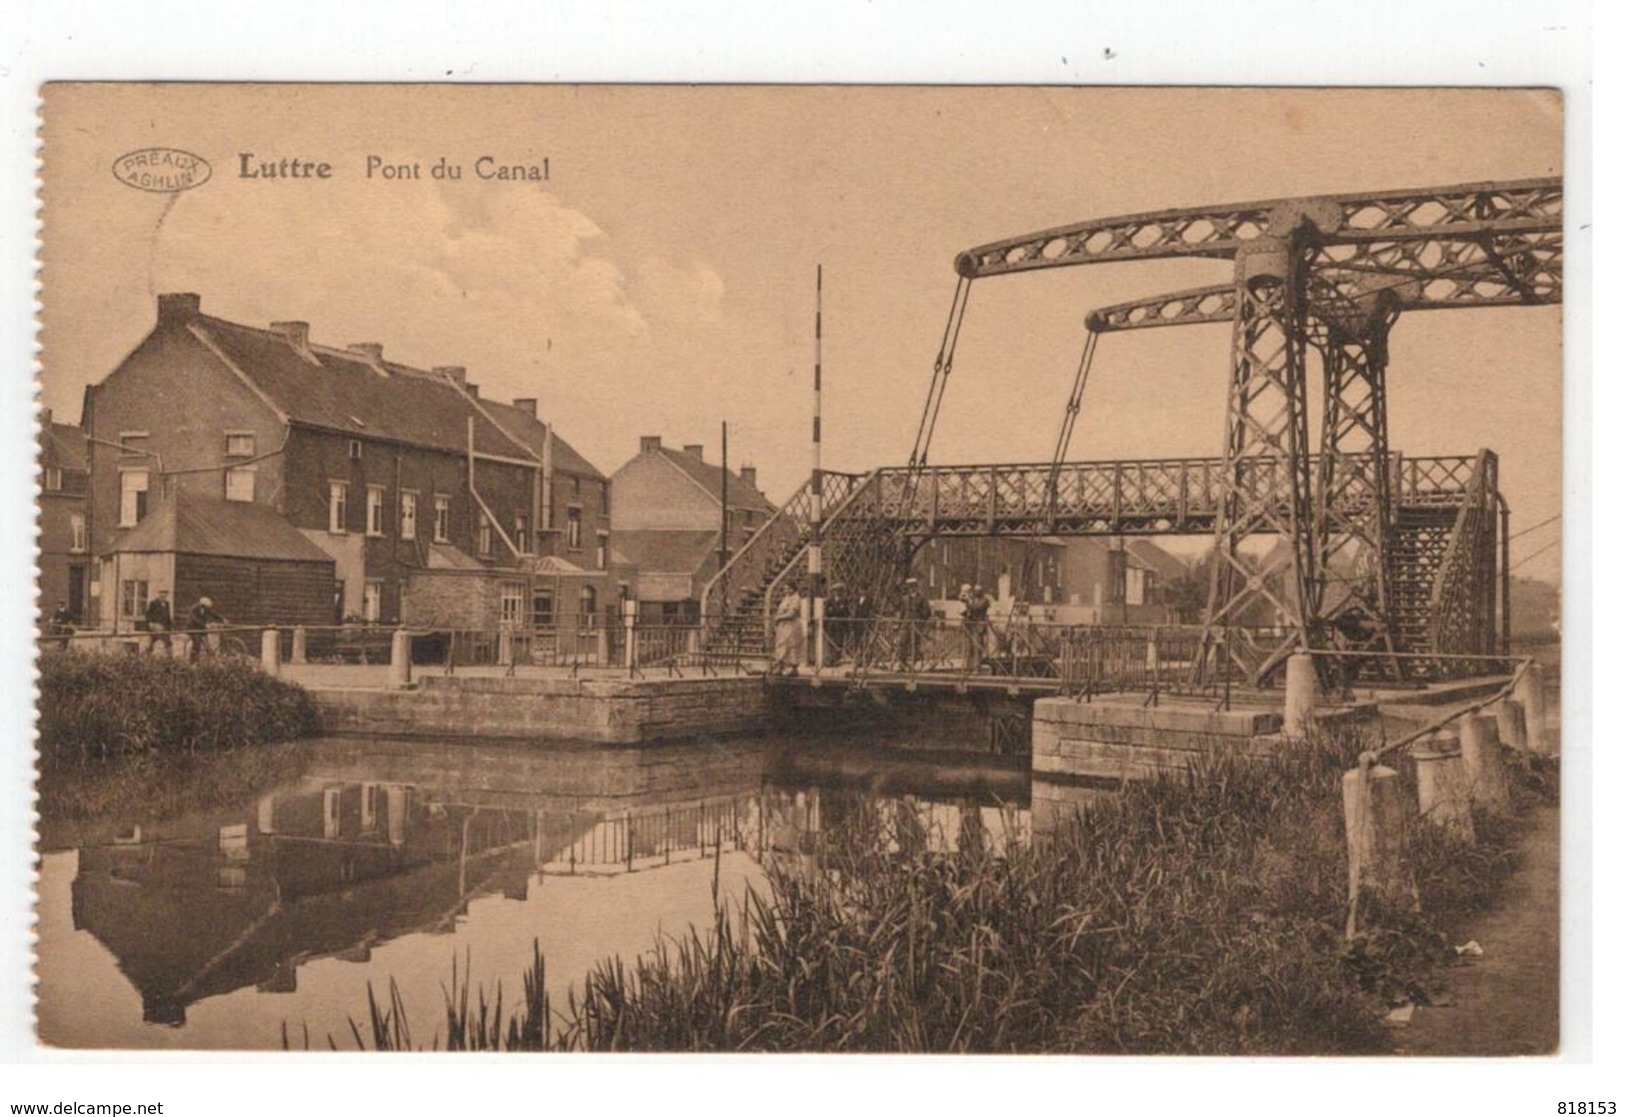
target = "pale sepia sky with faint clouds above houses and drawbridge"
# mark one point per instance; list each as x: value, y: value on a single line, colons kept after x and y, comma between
x: 662, y: 279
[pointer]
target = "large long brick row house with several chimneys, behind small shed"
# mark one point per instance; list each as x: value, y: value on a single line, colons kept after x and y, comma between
x: 438, y: 508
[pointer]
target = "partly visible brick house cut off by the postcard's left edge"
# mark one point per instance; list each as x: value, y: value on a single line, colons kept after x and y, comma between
x: 64, y: 526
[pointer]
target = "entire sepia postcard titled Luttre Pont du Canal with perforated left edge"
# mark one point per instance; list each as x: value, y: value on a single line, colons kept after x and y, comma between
x: 916, y: 570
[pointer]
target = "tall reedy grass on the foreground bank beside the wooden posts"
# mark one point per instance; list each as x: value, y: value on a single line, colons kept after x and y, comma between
x: 1197, y: 915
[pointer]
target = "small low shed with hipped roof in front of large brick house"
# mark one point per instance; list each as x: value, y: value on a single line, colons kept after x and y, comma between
x: 248, y: 558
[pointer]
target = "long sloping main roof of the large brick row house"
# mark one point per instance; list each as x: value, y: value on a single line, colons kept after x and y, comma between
x: 342, y: 391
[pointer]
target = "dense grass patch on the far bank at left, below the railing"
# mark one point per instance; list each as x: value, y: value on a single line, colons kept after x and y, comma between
x: 105, y: 706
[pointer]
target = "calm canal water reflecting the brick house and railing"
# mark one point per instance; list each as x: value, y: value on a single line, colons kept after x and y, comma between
x: 230, y: 905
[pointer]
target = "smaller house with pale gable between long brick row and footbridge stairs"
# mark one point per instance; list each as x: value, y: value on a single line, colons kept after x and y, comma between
x: 669, y: 515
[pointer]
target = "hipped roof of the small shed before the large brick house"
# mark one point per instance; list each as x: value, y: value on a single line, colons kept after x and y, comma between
x: 196, y: 524
